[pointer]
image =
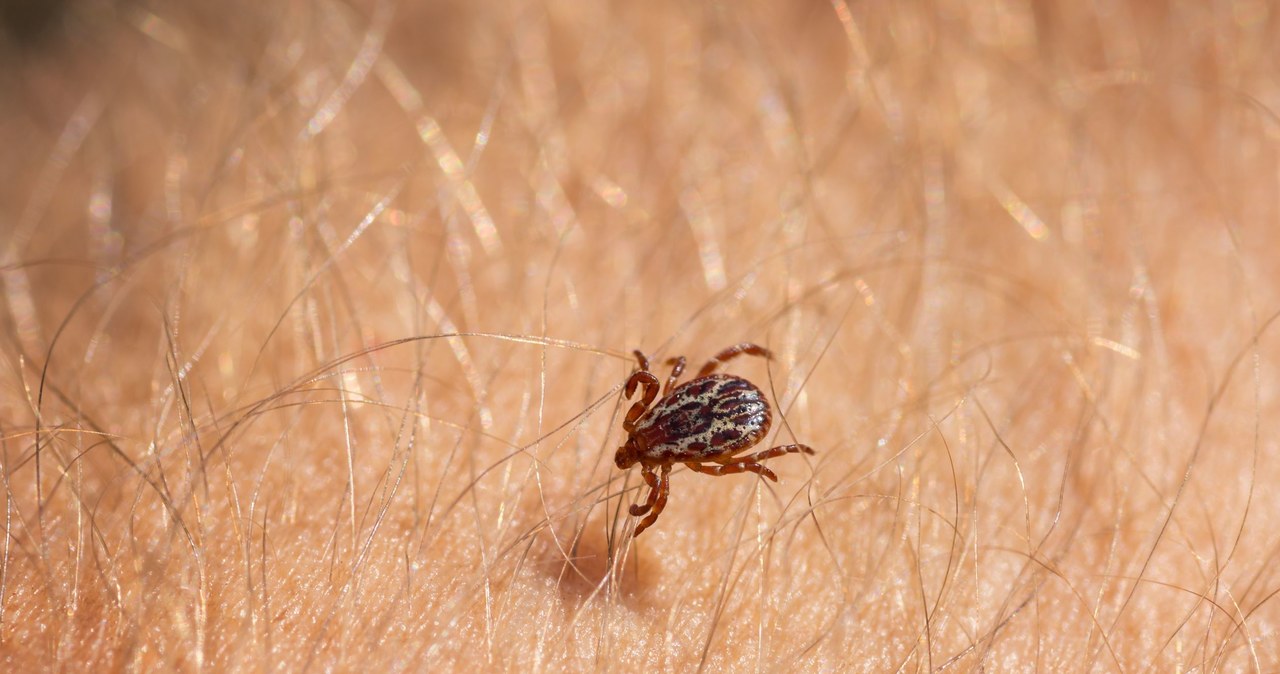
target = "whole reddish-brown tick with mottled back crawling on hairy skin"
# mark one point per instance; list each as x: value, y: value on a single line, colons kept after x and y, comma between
x: 710, y: 419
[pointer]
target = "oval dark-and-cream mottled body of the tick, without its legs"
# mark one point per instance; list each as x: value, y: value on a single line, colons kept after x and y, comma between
x: 707, y: 419
